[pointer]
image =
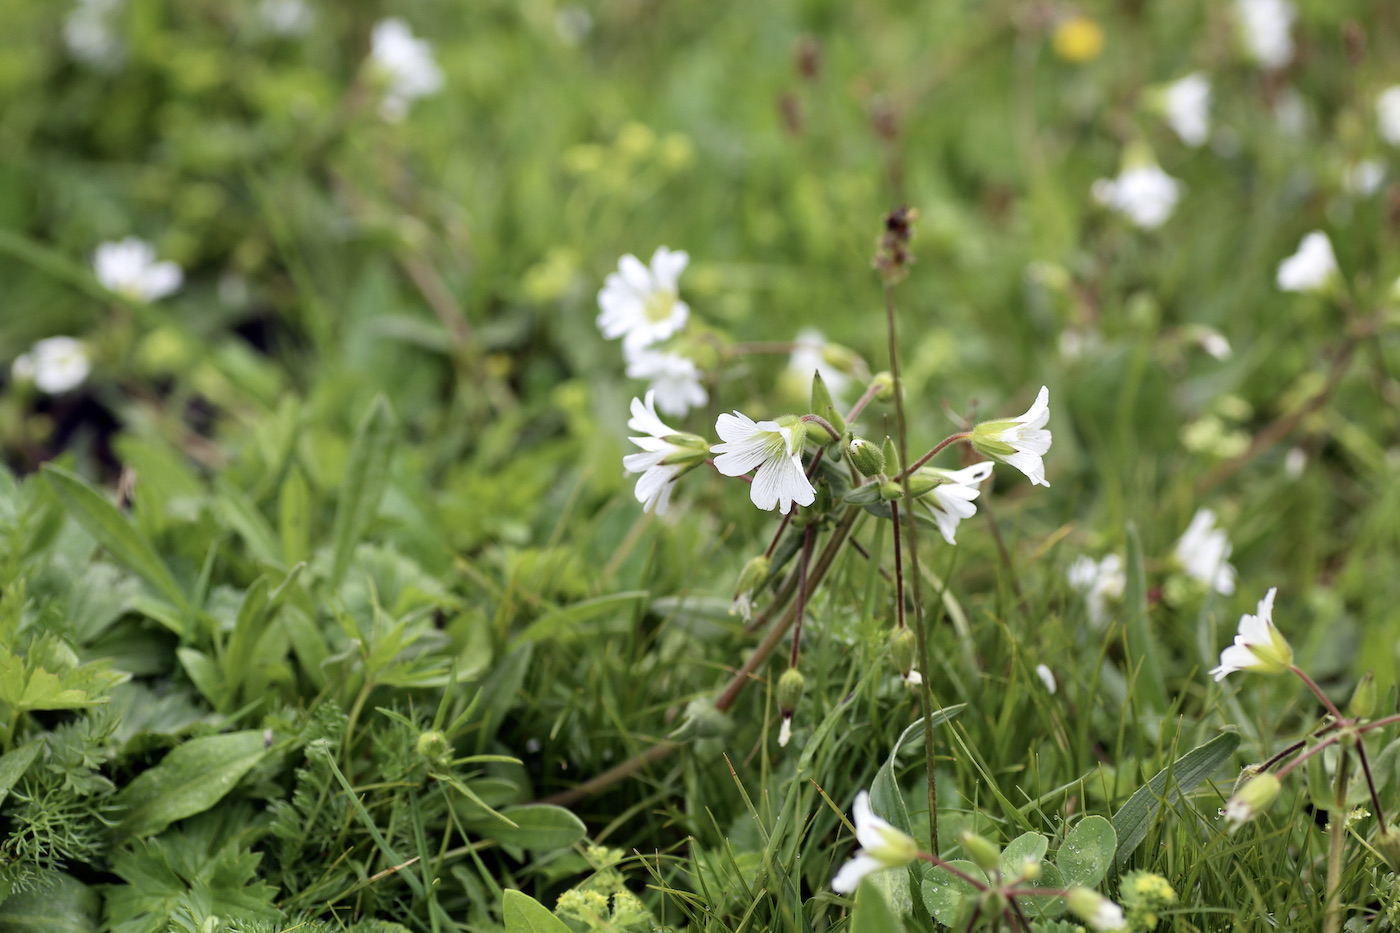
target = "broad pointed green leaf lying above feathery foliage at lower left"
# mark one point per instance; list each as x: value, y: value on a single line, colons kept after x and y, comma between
x: 188, y: 781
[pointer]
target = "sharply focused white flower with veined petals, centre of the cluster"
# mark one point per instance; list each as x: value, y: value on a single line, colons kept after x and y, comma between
x: 776, y: 450
